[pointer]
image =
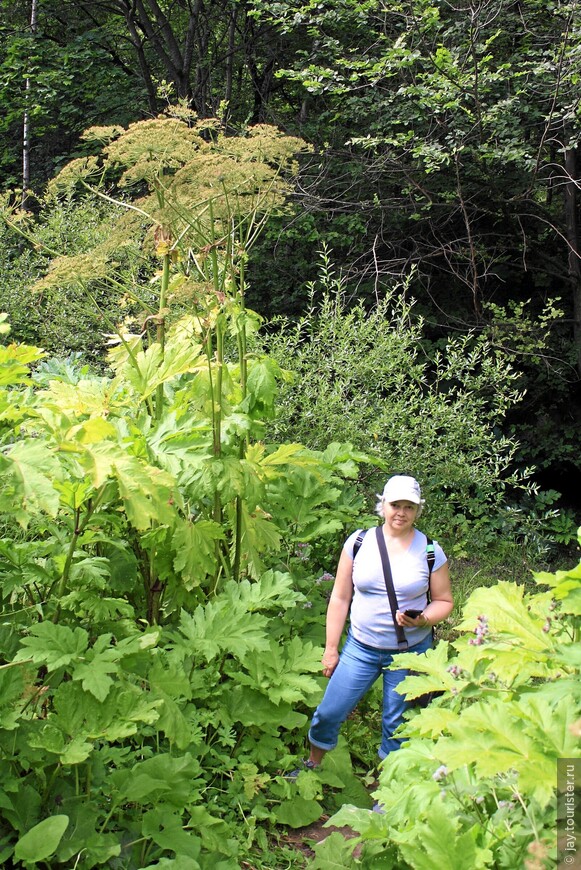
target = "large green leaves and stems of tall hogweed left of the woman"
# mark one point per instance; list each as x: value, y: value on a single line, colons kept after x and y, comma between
x: 152, y: 674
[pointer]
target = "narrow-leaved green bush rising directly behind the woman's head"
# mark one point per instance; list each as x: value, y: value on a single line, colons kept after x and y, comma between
x: 360, y: 374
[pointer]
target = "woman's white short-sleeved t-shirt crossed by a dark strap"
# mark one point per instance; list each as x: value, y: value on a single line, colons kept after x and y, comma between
x: 371, y: 619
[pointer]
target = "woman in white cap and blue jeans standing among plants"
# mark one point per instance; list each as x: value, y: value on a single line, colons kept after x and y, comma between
x: 371, y: 643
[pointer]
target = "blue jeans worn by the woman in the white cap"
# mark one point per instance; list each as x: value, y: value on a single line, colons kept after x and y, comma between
x: 359, y: 667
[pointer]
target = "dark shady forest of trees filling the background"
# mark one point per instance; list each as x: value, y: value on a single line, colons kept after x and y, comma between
x: 443, y: 155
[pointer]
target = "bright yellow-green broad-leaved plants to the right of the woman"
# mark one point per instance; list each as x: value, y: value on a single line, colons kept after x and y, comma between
x: 475, y: 785
